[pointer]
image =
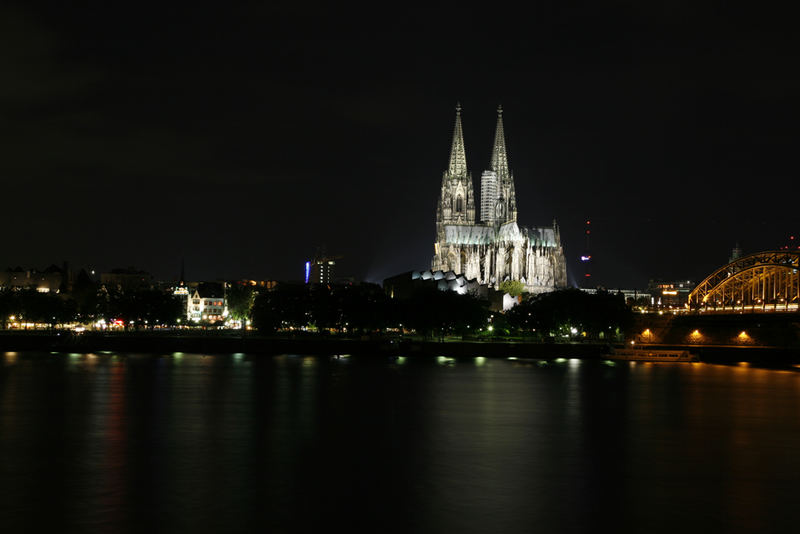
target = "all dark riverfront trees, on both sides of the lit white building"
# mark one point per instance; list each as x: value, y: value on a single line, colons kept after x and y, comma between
x: 345, y: 309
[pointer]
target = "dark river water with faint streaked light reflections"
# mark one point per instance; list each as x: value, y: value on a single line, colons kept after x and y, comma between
x: 192, y: 443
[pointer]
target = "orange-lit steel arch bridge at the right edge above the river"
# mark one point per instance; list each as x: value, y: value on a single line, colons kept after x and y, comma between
x: 764, y: 281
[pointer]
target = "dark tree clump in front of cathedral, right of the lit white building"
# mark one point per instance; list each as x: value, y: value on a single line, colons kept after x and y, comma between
x: 366, y: 308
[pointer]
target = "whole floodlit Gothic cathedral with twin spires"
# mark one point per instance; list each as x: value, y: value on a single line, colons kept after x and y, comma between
x: 495, y: 248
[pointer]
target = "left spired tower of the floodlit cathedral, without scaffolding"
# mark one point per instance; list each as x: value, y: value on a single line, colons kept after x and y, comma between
x: 457, y: 198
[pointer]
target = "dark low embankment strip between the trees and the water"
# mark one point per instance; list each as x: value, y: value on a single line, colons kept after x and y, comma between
x: 233, y: 342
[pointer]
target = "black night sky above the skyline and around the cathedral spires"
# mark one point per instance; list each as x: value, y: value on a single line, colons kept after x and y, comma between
x: 243, y: 138
